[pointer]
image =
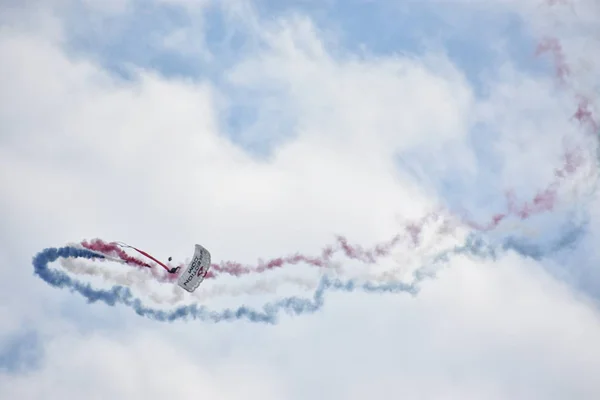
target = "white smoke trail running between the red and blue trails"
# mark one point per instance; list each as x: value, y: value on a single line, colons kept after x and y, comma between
x: 415, y: 254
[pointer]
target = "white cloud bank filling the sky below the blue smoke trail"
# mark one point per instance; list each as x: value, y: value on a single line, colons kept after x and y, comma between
x: 480, y: 331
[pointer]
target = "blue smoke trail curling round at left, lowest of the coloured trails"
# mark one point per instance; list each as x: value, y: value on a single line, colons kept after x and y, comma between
x: 474, y: 245
